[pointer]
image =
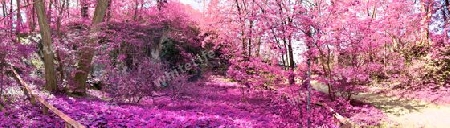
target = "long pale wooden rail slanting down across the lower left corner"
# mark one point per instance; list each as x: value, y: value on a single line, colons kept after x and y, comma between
x: 34, y: 97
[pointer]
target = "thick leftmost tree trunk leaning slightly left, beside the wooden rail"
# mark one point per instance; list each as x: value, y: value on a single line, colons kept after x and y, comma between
x: 50, y: 76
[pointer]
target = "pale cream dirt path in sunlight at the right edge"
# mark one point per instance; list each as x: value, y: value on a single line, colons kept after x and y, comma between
x: 404, y: 113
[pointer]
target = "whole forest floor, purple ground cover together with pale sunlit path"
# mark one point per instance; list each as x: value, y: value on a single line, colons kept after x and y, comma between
x: 218, y: 102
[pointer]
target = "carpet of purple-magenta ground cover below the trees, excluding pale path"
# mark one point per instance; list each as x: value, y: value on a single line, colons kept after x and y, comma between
x: 211, y: 102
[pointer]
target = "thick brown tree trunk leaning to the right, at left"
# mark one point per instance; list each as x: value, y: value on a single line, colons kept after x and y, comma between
x: 88, y: 51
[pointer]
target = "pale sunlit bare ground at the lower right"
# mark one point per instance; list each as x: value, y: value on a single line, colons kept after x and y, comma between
x: 423, y: 108
